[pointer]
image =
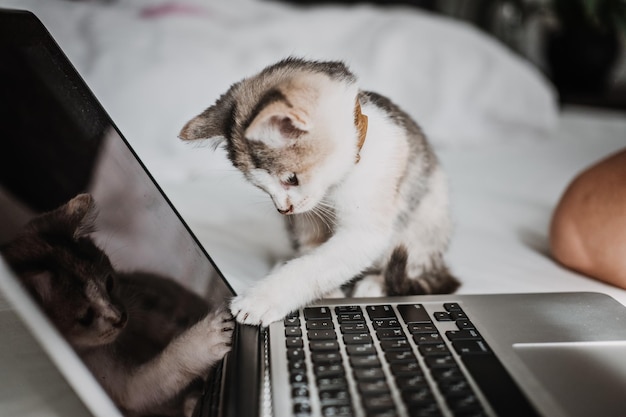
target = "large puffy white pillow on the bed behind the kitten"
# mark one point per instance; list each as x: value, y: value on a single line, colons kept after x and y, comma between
x: 155, y: 64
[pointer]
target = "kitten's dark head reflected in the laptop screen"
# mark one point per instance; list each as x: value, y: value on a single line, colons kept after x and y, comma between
x: 68, y: 275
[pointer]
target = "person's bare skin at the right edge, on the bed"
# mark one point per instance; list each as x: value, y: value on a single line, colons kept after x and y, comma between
x: 588, y: 228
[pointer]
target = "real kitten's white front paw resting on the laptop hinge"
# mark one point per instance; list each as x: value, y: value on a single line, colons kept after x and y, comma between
x: 258, y: 308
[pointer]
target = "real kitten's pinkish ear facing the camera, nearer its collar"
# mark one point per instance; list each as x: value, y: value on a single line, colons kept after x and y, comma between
x: 278, y: 124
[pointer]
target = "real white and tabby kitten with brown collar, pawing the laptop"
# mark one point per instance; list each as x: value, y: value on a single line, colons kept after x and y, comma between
x: 364, y: 196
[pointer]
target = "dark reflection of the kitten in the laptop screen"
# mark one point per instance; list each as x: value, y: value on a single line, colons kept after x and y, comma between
x: 145, y: 338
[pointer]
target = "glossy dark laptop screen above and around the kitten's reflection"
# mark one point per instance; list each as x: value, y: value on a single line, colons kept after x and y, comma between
x: 56, y: 142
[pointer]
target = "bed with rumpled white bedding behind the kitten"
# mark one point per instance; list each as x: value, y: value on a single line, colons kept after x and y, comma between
x: 508, y: 149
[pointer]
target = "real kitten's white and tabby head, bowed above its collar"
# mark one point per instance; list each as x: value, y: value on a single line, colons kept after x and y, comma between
x: 290, y: 130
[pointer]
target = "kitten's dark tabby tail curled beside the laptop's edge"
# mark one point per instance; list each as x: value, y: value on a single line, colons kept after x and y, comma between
x: 435, y: 278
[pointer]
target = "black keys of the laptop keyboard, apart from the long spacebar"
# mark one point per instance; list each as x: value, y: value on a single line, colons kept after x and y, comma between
x: 397, y: 363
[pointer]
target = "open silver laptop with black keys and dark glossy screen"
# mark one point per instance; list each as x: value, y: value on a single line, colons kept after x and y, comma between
x: 546, y: 354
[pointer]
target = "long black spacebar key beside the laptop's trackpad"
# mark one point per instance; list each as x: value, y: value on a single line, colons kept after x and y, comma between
x: 497, y: 385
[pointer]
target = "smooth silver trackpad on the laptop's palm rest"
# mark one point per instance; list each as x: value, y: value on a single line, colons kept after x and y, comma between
x: 584, y: 378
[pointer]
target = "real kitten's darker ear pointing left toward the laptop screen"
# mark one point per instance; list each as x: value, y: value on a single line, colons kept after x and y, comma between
x: 214, y: 122
